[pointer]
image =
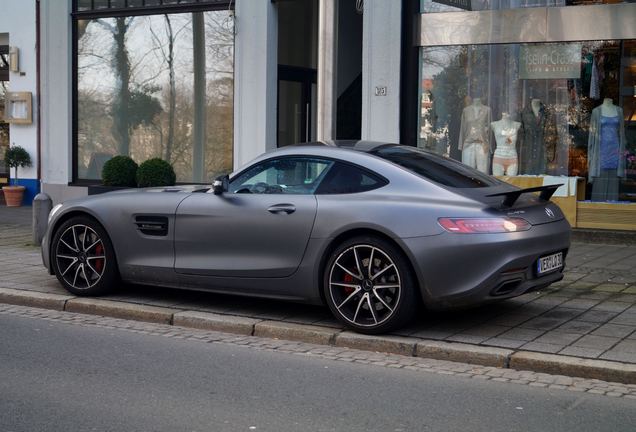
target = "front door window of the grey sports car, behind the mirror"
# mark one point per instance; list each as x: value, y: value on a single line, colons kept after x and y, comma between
x: 297, y: 175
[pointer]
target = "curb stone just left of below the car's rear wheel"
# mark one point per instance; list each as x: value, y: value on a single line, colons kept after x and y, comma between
x: 296, y: 332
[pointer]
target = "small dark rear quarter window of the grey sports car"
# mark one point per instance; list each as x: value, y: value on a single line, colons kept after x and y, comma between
x: 344, y: 178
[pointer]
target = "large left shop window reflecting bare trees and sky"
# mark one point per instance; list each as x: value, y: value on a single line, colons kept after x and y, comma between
x: 147, y: 87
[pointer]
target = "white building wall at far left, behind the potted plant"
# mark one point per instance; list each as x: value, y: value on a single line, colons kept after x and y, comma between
x: 18, y: 25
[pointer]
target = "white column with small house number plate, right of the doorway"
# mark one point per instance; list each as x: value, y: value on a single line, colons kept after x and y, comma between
x: 381, y: 47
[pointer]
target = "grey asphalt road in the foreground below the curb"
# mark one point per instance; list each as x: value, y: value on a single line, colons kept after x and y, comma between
x: 57, y: 376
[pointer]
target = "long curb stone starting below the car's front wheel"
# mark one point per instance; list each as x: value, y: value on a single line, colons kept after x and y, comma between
x: 123, y: 310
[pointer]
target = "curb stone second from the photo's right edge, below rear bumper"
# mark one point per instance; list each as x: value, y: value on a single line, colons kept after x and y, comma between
x: 465, y: 353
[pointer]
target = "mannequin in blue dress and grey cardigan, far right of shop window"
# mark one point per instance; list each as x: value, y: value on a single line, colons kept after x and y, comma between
x: 605, y: 149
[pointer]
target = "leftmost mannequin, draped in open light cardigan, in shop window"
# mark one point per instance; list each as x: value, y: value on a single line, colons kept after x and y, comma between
x: 474, y: 135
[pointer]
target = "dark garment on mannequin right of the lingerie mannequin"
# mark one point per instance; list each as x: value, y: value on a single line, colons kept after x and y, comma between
x: 532, y: 145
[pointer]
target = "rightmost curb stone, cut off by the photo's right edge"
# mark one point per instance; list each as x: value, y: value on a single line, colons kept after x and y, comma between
x: 574, y: 366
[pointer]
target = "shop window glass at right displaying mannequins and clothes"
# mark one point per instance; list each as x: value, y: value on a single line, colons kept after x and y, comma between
x: 558, y: 109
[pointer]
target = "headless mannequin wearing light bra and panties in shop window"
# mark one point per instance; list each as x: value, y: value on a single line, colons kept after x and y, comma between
x: 504, y: 160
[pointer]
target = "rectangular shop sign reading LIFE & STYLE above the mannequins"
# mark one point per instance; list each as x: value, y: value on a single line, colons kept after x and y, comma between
x: 550, y: 61
